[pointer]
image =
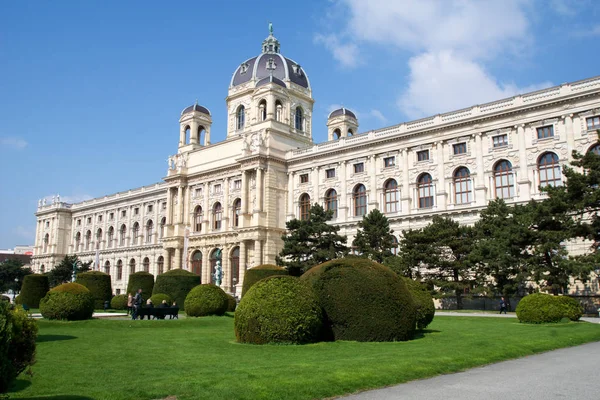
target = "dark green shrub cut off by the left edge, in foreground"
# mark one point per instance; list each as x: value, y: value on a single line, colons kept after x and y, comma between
x: 17, y: 343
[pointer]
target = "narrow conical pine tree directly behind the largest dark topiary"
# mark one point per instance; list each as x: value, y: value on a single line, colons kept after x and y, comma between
x: 374, y: 238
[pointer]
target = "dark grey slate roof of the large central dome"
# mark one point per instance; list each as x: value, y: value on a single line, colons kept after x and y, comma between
x: 256, y: 68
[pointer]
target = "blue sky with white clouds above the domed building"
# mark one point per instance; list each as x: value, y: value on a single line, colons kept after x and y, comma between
x: 91, y: 91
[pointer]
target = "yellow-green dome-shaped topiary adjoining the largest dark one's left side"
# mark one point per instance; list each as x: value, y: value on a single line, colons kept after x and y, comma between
x: 279, y: 309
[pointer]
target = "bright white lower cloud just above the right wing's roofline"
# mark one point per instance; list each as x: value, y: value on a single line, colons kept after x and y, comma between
x: 442, y: 81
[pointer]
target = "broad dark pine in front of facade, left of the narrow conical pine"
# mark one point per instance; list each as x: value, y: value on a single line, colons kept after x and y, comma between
x: 311, y: 242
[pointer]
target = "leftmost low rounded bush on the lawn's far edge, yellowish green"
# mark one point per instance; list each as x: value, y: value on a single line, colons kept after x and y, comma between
x: 70, y: 301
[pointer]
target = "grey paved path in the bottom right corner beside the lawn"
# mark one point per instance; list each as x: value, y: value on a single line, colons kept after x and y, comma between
x: 570, y: 373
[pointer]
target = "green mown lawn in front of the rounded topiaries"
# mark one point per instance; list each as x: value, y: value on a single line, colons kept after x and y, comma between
x: 199, y: 358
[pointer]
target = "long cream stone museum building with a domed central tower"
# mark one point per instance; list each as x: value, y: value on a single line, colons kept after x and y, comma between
x: 236, y: 195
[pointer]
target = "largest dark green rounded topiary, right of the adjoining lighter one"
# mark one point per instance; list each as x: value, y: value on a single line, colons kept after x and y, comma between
x: 362, y: 300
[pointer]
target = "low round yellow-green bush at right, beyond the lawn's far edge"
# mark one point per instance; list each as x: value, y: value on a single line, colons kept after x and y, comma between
x: 538, y: 308
